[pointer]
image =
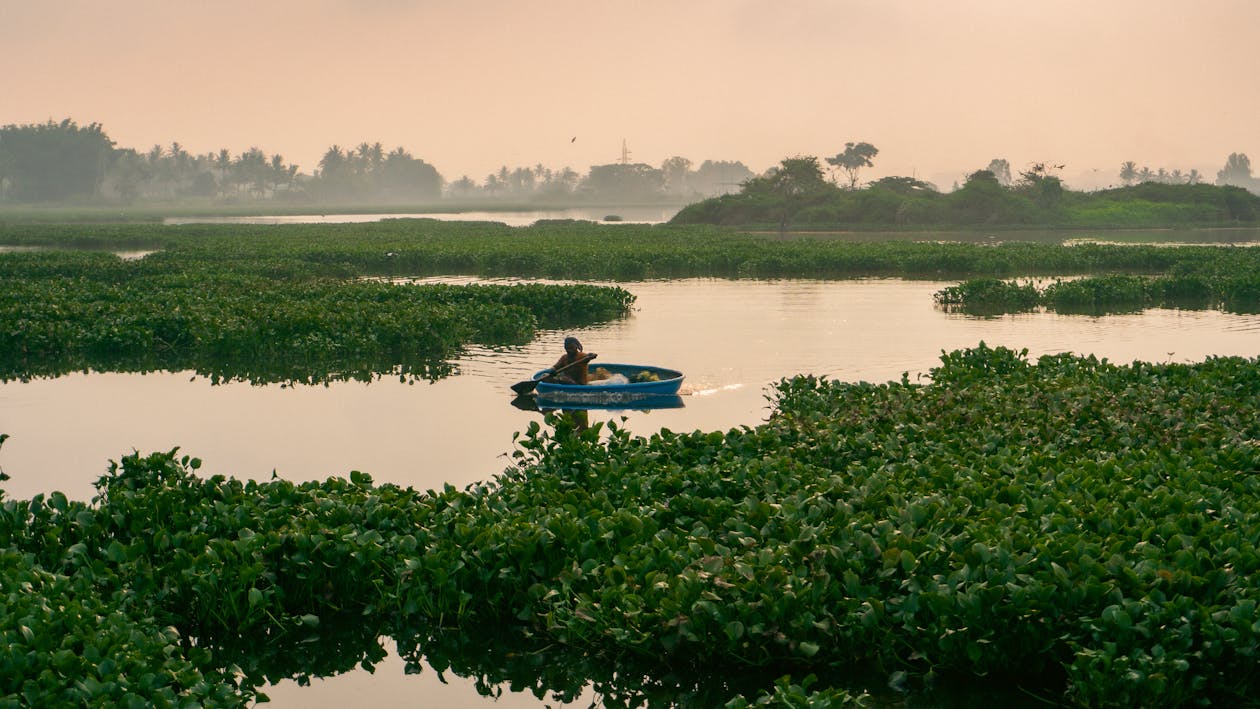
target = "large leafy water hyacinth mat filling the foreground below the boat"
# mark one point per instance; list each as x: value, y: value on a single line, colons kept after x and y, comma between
x: 1083, y: 531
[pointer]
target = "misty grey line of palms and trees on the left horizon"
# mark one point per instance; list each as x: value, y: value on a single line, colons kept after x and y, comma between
x: 67, y: 163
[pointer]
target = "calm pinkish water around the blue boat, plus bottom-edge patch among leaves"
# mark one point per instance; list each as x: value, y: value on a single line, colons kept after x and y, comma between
x: 731, y: 338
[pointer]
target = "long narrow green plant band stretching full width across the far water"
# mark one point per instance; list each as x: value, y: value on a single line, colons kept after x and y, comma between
x: 600, y: 252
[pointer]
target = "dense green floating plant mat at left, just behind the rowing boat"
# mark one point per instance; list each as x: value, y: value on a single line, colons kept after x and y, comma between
x: 66, y: 312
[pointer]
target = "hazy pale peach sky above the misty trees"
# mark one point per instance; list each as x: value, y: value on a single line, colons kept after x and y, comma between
x: 939, y: 88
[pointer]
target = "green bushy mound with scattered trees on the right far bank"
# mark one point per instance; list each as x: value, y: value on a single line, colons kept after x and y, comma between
x: 801, y: 193
